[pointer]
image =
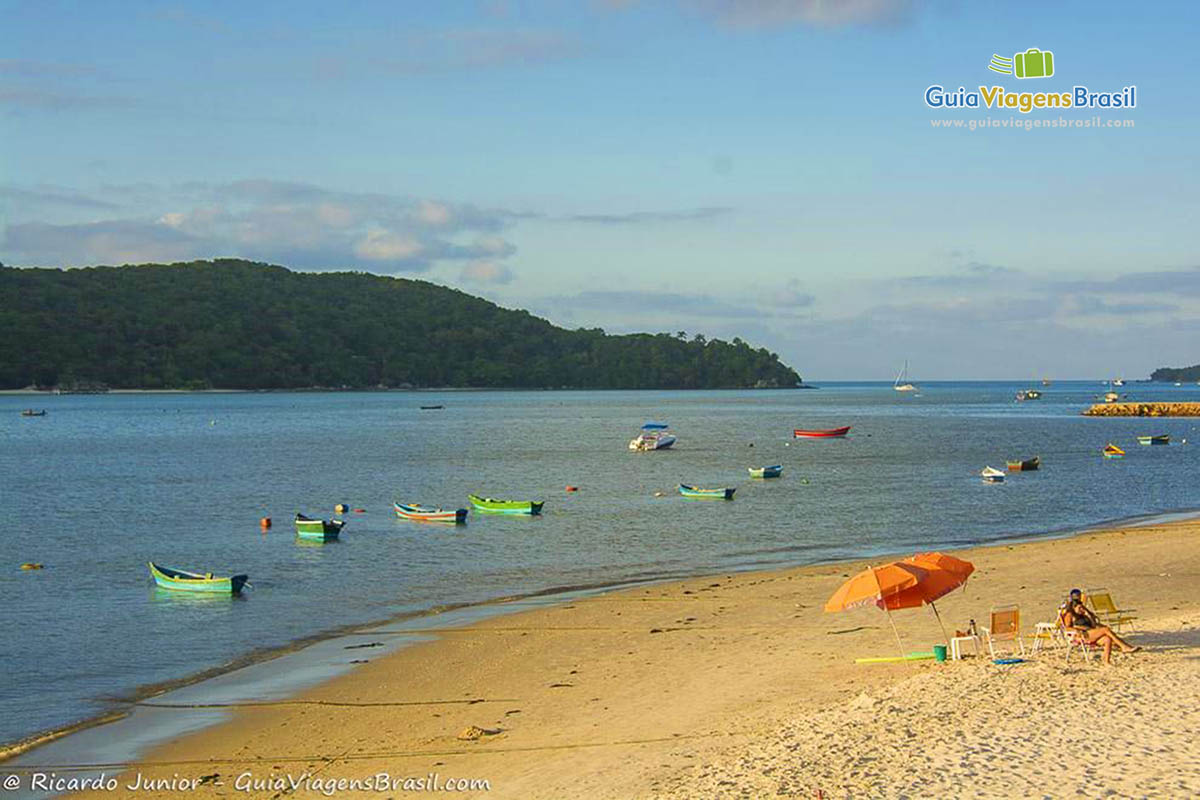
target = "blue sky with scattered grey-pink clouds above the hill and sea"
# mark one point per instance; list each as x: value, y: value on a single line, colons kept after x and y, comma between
x: 759, y: 169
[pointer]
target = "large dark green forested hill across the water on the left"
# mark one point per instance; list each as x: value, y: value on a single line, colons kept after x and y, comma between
x: 232, y: 324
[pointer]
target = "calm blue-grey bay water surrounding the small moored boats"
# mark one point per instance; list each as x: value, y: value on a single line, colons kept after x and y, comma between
x: 105, y: 484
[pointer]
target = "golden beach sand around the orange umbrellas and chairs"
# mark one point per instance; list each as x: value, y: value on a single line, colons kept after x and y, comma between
x: 740, y: 685
